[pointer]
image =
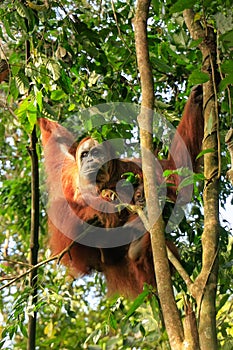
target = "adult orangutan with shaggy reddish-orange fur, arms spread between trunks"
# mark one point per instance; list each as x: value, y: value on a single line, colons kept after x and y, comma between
x: 78, y: 175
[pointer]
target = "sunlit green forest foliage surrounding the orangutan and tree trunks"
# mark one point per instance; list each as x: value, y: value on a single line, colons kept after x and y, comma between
x: 65, y: 57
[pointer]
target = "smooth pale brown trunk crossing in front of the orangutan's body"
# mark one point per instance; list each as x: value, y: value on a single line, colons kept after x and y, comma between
x: 162, y: 271
